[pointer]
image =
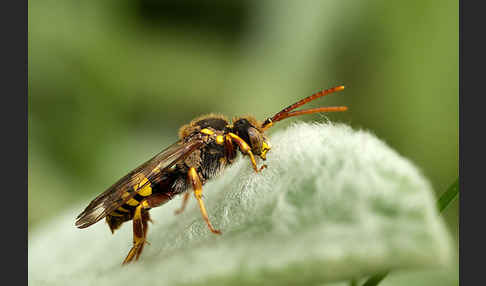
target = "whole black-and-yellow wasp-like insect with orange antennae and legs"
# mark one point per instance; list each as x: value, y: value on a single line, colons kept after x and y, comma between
x: 205, y: 147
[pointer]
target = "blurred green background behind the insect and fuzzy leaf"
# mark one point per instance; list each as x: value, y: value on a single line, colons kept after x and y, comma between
x: 110, y: 82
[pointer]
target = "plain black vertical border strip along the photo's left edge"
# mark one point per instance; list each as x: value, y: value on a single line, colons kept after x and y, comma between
x: 13, y: 22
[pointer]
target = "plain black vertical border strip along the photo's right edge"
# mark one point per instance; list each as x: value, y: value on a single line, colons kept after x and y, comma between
x: 471, y: 204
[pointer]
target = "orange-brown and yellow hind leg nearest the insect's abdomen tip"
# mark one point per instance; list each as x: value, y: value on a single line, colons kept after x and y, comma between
x: 140, y: 224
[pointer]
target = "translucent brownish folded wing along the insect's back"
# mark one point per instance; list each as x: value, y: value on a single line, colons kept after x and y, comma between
x: 123, y: 190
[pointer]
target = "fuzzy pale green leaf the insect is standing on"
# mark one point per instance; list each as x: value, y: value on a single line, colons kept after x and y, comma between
x: 334, y: 204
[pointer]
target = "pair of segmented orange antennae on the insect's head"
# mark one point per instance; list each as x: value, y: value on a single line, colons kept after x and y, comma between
x: 287, y: 112
